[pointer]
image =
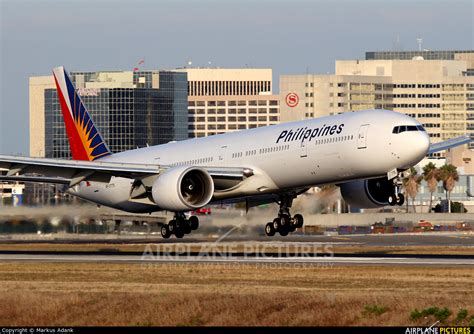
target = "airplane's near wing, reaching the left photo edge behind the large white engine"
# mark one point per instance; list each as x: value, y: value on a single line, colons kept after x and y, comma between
x: 72, y: 172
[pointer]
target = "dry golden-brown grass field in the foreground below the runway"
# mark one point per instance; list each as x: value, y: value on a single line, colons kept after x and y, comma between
x: 77, y: 294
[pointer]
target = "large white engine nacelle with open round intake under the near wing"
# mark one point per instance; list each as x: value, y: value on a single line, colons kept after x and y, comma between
x: 183, y: 189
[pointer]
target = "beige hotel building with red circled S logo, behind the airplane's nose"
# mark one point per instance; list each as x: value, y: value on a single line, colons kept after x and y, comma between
x: 436, y: 92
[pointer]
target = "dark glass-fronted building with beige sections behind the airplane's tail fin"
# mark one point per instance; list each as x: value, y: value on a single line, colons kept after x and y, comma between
x: 131, y: 109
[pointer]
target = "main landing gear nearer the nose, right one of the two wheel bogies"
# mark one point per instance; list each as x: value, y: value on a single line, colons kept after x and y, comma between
x: 284, y: 223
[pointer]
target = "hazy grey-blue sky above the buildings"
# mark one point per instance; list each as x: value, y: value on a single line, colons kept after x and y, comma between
x: 291, y: 37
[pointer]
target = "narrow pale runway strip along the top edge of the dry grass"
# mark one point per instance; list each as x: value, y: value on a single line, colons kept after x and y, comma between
x: 150, y: 258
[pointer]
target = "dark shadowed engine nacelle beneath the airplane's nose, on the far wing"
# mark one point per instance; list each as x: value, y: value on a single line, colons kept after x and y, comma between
x: 371, y: 193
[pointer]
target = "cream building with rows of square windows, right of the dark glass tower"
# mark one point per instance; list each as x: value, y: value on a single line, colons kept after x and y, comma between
x: 226, y: 100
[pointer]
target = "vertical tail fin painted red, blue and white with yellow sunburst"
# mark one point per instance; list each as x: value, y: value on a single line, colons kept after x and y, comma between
x: 85, y: 141
